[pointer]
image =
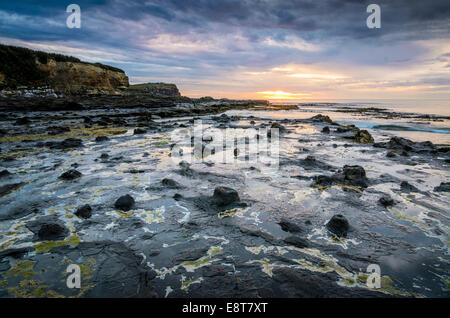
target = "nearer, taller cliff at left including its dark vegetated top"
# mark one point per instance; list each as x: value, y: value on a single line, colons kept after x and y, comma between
x: 22, y: 67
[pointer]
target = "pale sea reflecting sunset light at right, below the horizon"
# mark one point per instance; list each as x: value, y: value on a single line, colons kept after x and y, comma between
x: 408, y: 121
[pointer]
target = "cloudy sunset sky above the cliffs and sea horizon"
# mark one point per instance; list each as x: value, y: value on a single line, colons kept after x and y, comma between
x: 290, y: 50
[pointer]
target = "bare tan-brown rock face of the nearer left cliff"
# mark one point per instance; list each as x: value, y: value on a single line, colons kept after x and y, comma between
x: 76, y: 78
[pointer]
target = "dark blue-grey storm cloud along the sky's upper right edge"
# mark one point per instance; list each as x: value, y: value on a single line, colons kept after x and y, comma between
x: 342, y: 17
